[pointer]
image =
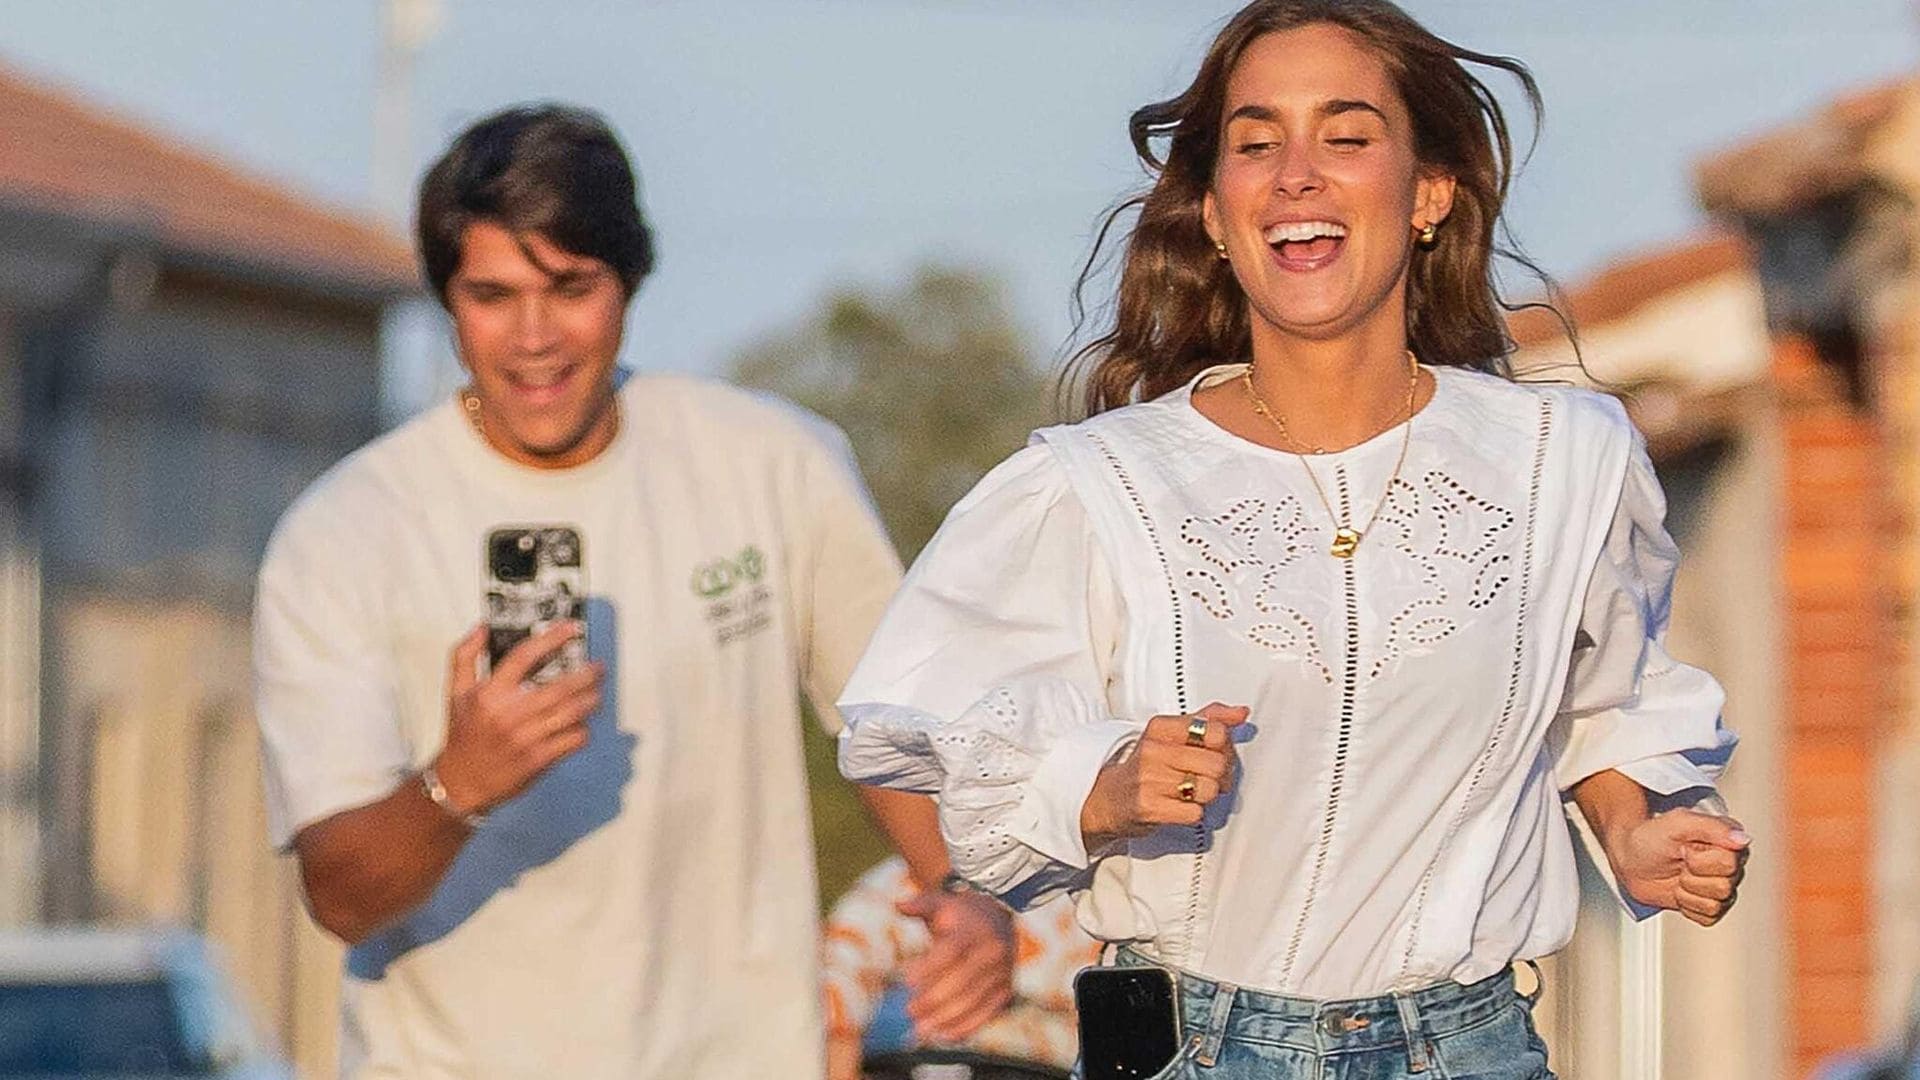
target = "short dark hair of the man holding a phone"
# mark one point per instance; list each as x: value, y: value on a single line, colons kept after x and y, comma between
x: 550, y: 170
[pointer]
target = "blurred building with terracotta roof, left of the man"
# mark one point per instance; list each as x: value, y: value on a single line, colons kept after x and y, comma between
x: 181, y: 351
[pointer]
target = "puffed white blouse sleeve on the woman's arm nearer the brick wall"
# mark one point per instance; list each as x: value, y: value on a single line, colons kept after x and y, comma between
x: 1629, y: 704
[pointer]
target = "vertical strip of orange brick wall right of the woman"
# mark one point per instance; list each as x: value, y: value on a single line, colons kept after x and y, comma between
x: 1842, y: 677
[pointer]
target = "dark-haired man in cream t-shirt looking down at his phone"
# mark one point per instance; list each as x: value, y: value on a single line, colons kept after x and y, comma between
x: 608, y: 871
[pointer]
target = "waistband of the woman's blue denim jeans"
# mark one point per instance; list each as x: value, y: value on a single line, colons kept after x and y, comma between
x: 1214, y: 1012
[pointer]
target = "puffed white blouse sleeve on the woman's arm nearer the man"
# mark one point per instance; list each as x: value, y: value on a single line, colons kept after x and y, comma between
x: 986, y: 683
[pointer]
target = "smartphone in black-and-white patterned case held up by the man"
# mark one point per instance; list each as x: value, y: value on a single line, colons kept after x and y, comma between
x: 535, y: 577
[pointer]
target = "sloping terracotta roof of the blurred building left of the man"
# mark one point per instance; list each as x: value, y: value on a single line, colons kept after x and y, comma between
x: 64, y: 157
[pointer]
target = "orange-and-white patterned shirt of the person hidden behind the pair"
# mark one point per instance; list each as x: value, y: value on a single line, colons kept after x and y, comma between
x: 875, y: 950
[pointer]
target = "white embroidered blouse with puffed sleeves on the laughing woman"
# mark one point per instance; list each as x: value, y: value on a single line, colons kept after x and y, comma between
x: 1418, y: 712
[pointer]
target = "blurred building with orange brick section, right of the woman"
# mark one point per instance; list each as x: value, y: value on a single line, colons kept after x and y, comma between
x: 1775, y: 370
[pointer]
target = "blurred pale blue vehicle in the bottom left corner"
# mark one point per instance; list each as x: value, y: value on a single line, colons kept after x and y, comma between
x: 124, y: 1004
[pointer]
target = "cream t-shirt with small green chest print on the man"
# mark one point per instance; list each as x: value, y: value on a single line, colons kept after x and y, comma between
x: 648, y: 908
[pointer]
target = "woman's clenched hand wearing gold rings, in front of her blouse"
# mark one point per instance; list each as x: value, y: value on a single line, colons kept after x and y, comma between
x: 1168, y: 779
